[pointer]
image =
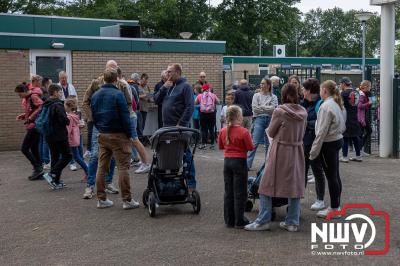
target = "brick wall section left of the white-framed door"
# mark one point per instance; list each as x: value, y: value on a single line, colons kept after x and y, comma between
x: 14, y: 68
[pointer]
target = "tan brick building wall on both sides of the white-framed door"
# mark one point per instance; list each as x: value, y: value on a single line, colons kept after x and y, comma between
x: 14, y: 68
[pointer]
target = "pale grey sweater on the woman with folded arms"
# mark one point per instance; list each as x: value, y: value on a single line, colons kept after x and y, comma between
x: 264, y: 104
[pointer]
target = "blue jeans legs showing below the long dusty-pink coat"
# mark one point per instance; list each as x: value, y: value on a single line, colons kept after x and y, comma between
x: 264, y: 215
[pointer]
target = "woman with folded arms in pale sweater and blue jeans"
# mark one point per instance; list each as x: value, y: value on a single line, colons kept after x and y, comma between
x: 263, y: 105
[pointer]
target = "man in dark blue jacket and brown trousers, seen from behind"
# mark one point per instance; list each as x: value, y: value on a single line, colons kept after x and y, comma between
x: 111, y: 117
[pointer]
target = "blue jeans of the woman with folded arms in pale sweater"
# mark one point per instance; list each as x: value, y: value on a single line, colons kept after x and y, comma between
x: 259, y: 137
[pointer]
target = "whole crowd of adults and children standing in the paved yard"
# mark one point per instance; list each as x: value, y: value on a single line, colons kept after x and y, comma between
x: 300, y: 126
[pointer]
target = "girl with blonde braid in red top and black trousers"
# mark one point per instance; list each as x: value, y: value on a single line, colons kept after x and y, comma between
x: 236, y: 141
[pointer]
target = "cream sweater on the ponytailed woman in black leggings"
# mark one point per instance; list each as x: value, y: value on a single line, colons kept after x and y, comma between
x: 330, y: 125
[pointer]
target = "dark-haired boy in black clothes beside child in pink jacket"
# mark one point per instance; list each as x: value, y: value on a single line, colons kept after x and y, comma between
x: 57, y: 138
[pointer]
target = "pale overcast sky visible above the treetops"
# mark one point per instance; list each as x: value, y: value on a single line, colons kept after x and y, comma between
x: 306, y: 5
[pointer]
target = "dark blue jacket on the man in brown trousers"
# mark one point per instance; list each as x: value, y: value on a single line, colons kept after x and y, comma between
x: 110, y: 111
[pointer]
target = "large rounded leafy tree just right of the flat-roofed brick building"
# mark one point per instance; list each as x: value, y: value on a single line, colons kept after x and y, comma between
x: 240, y: 22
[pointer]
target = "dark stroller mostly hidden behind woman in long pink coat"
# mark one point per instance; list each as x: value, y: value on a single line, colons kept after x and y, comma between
x: 252, y: 193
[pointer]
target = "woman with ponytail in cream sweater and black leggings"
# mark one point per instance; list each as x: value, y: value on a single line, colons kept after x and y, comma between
x: 329, y: 128
